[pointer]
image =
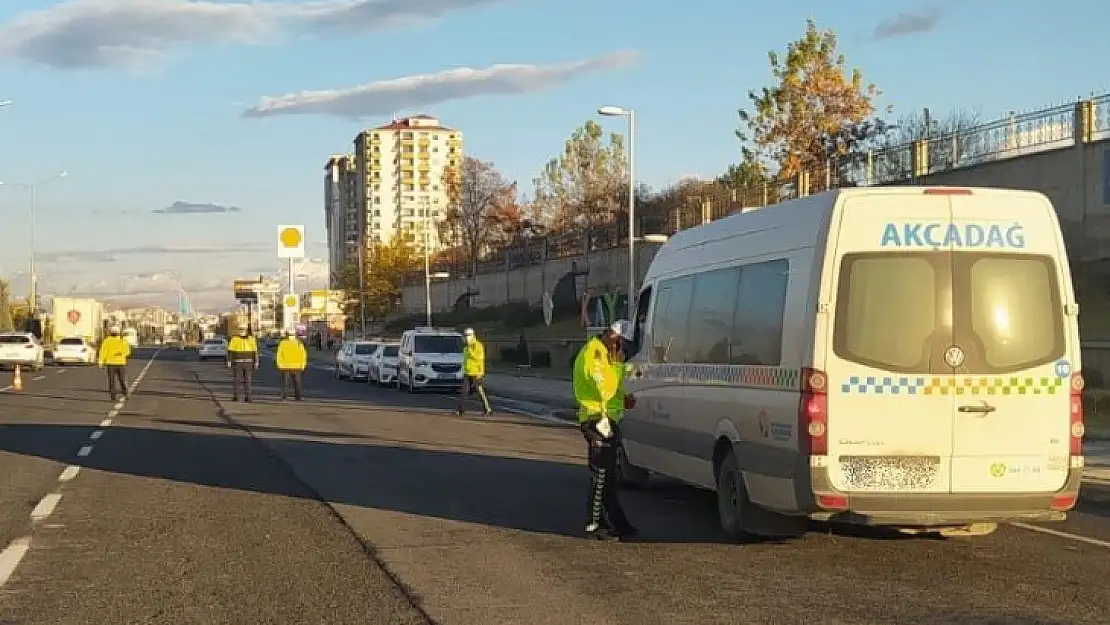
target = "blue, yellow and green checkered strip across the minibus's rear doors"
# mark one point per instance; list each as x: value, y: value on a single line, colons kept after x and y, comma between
x: 952, y: 386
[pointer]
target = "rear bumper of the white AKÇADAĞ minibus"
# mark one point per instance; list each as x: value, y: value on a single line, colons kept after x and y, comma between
x: 934, y: 510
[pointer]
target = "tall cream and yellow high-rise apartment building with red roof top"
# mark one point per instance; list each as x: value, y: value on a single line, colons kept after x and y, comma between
x: 395, y: 184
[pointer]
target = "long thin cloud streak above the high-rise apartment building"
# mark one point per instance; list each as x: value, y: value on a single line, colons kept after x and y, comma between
x: 418, y: 92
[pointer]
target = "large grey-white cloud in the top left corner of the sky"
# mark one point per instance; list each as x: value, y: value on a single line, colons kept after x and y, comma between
x: 140, y: 34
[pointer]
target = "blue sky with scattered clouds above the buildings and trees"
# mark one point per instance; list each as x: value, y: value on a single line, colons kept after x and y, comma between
x: 189, y: 130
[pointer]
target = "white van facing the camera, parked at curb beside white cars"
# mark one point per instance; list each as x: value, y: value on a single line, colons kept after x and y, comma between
x: 430, y: 358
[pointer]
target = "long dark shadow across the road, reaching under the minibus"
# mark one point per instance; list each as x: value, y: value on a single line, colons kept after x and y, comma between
x: 532, y: 496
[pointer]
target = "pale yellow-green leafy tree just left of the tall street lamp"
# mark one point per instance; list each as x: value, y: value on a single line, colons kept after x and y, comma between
x: 586, y: 184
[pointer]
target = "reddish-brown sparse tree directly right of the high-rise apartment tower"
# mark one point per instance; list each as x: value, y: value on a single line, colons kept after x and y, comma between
x: 477, y: 194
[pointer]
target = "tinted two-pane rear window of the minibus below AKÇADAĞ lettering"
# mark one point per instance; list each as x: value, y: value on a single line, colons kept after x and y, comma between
x: 901, y: 312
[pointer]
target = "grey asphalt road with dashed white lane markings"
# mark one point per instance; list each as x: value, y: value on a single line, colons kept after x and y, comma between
x: 193, y: 509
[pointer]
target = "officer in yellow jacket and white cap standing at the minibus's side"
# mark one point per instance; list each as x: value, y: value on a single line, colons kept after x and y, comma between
x: 597, y: 389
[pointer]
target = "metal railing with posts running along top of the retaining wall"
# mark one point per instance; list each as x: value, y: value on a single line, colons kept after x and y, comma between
x: 1017, y: 135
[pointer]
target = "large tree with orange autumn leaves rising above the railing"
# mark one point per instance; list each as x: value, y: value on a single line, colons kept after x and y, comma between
x: 818, y: 109
